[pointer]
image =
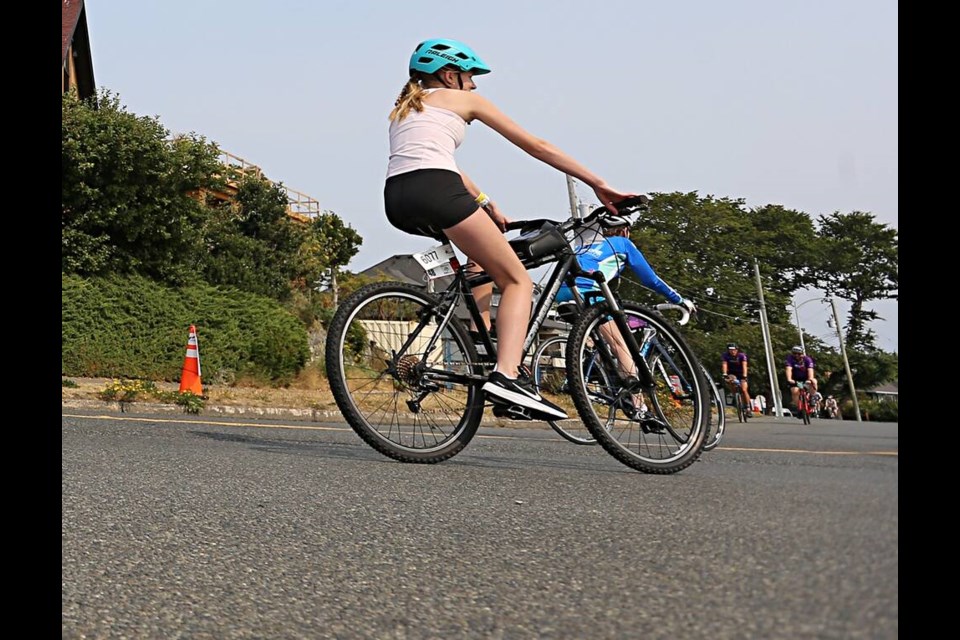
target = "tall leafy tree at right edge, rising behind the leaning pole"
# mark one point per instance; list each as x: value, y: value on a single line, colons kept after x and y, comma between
x: 860, y: 262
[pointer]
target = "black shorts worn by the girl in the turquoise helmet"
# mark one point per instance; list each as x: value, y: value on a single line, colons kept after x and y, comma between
x: 427, y: 201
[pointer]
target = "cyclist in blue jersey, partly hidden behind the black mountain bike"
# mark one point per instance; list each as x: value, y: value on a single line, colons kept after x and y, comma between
x: 611, y: 254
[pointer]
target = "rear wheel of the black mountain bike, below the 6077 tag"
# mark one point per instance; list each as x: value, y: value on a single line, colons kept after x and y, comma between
x: 402, y: 381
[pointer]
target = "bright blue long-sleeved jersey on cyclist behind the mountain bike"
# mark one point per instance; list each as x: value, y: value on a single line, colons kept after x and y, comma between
x: 611, y: 256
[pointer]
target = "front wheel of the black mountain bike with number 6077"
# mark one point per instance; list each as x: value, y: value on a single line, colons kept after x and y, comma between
x: 669, y: 436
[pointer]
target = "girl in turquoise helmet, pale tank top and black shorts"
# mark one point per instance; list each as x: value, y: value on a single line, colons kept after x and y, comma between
x: 426, y: 193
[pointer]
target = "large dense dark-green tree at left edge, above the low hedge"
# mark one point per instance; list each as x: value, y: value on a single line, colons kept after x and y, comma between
x: 125, y: 191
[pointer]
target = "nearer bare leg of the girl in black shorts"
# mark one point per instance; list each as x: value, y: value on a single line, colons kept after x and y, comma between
x: 479, y: 238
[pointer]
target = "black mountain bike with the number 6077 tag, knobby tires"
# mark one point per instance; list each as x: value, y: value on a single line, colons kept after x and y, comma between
x: 407, y: 377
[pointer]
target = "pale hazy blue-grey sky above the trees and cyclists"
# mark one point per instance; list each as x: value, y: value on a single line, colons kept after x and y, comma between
x: 791, y: 103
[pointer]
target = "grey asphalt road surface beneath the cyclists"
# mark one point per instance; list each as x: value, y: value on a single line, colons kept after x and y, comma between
x: 191, y: 527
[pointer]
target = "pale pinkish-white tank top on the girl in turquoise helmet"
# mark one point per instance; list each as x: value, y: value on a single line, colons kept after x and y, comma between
x: 425, y: 140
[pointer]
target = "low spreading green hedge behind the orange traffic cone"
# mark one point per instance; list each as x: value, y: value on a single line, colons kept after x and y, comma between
x: 132, y: 327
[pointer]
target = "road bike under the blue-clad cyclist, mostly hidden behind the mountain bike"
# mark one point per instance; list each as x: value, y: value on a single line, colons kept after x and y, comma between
x: 550, y: 376
